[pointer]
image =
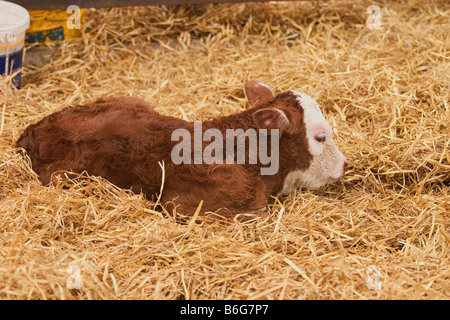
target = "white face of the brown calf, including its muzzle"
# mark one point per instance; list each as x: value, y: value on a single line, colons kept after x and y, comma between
x: 328, y: 163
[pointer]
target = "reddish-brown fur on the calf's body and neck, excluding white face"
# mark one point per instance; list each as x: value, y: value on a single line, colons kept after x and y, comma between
x: 124, y: 141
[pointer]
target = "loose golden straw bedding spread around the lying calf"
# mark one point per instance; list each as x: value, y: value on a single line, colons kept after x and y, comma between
x: 382, y: 232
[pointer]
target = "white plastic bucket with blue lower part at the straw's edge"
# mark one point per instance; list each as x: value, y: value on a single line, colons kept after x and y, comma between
x: 14, y: 21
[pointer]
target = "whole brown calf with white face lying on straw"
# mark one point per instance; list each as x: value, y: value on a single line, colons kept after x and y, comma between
x: 125, y: 141
